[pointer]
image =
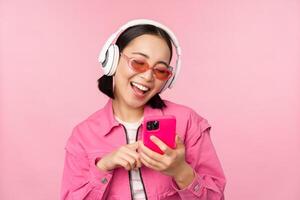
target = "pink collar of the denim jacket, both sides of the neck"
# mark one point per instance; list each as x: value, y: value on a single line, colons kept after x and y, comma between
x: 108, y: 121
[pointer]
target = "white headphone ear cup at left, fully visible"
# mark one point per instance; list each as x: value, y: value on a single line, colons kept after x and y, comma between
x: 111, y: 60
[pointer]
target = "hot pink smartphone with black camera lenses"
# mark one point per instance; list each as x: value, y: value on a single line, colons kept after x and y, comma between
x: 163, y: 127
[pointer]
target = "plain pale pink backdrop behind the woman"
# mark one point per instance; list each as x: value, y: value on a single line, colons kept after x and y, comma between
x: 240, y: 70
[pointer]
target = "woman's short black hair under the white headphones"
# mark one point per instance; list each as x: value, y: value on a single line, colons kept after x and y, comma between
x: 105, y: 83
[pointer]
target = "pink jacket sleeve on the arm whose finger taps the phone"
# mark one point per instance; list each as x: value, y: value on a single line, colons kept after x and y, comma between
x: 81, y: 177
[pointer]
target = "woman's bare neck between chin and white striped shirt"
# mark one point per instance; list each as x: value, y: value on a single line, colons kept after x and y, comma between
x: 125, y: 112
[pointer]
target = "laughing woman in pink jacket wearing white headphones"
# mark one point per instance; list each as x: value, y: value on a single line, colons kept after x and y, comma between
x: 105, y: 157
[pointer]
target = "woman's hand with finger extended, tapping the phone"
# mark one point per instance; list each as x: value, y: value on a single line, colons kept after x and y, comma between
x: 125, y: 156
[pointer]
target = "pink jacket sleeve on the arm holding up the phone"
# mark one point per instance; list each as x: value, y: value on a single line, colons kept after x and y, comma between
x: 209, y: 182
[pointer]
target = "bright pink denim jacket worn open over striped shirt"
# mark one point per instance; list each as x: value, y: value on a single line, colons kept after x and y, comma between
x: 100, y: 134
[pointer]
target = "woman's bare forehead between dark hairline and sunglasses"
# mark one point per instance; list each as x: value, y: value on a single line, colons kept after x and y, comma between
x: 153, y: 46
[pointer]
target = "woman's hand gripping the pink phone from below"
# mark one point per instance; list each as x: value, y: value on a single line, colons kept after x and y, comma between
x: 171, y: 163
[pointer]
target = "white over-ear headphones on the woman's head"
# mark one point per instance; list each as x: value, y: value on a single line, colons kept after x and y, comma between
x: 109, y: 55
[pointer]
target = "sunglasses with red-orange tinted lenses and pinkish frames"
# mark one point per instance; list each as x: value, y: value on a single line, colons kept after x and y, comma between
x: 161, y: 71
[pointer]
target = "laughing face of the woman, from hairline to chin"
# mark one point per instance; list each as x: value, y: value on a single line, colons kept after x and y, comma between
x: 127, y: 76
